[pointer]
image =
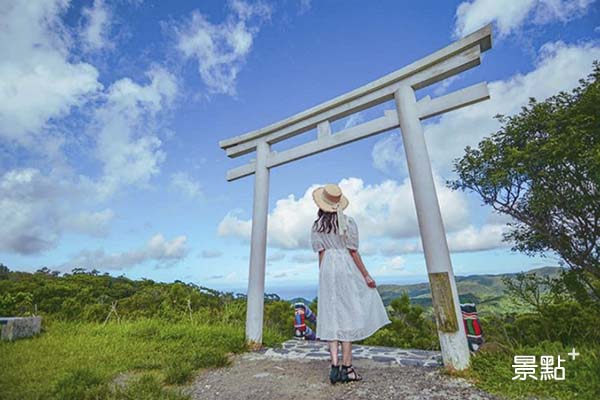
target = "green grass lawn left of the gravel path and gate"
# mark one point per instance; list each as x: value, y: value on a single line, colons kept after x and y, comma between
x: 80, y: 360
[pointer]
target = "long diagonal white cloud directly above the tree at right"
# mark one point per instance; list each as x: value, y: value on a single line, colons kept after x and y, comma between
x: 559, y: 66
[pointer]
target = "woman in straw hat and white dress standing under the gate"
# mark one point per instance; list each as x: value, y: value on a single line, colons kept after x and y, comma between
x: 349, y: 306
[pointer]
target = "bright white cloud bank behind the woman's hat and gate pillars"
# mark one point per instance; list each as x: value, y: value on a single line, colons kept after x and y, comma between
x: 382, y: 210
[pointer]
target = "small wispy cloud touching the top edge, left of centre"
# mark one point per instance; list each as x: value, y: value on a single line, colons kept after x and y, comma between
x: 96, y: 29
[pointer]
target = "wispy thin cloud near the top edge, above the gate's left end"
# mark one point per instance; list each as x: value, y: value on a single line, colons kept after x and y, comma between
x: 221, y: 50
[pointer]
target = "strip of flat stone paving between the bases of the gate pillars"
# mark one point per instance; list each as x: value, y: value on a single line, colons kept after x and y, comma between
x: 319, y: 350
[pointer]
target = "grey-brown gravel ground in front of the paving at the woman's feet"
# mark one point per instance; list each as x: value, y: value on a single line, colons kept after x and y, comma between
x: 252, y: 376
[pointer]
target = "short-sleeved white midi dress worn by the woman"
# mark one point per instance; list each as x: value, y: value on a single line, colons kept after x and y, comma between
x: 347, y: 308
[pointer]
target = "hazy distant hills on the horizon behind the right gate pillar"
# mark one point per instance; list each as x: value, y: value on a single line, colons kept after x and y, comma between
x: 486, y: 291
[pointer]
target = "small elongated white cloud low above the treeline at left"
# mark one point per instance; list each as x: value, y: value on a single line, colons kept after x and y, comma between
x: 163, y: 252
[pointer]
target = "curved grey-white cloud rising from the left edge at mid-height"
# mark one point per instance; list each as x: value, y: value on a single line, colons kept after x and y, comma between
x: 39, y: 206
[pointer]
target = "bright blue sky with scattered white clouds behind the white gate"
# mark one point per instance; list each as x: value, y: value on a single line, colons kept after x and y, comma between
x: 111, y: 113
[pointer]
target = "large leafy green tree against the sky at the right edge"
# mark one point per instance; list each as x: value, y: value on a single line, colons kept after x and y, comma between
x: 542, y: 168
